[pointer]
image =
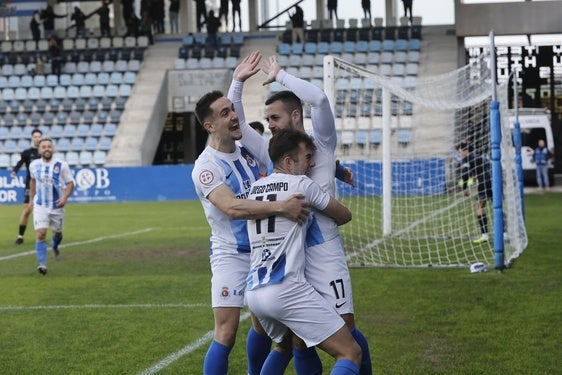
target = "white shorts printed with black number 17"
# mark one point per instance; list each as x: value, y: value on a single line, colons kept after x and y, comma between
x: 326, y: 269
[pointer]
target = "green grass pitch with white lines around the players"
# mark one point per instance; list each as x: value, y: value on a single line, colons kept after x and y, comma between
x: 131, y: 296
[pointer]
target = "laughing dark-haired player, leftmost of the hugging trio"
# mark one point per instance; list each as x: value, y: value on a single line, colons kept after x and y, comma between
x: 222, y: 176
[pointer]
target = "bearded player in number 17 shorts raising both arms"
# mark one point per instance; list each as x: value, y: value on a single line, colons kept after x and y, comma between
x: 326, y: 264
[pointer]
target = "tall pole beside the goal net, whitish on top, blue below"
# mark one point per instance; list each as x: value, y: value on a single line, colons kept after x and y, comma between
x: 497, y: 183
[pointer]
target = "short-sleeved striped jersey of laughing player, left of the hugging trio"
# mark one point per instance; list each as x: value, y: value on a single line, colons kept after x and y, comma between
x: 237, y: 170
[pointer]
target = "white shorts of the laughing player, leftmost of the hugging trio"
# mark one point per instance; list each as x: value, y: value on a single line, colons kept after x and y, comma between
x: 228, y: 283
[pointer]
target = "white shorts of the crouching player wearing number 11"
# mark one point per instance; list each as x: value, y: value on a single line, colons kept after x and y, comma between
x: 294, y: 306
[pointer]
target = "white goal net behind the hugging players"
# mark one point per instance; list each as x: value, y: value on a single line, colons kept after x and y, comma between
x: 411, y: 205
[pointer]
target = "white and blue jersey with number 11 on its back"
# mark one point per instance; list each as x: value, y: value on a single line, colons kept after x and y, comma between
x: 278, y: 244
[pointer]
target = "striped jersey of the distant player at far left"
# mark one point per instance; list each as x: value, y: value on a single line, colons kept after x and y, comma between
x: 51, y: 179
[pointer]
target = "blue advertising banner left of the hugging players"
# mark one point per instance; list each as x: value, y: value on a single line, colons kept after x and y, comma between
x: 154, y: 183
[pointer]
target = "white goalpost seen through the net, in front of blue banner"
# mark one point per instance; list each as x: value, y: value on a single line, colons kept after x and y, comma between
x: 386, y: 163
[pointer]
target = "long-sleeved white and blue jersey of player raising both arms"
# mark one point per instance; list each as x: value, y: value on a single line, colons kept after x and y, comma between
x: 323, y: 133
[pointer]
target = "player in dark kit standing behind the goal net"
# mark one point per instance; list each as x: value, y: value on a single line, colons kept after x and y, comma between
x: 477, y: 167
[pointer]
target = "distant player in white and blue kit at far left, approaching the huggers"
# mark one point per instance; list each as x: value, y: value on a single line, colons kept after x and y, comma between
x: 50, y: 187
